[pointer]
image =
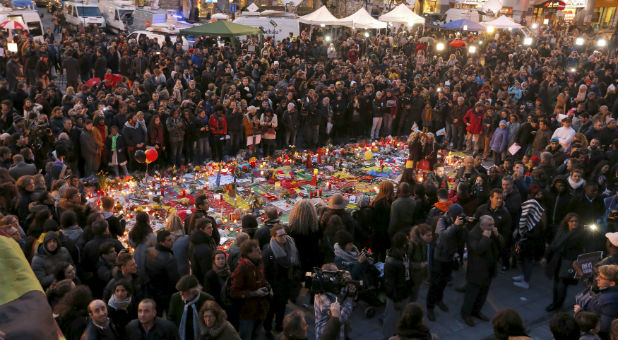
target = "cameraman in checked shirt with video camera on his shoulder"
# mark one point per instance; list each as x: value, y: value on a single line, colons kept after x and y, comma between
x: 325, y: 299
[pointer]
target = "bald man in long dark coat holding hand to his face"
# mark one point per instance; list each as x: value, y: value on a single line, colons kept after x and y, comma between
x: 484, y: 243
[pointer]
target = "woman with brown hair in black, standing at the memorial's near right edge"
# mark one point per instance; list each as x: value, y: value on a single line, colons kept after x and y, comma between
x: 382, y: 212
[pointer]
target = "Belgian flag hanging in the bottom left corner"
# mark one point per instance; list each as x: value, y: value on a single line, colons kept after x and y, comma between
x: 24, y: 310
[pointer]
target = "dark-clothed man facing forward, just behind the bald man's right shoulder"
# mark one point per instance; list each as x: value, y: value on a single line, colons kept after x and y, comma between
x: 502, y: 219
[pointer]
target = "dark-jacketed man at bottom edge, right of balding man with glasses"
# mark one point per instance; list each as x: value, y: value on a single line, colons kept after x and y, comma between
x: 148, y: 325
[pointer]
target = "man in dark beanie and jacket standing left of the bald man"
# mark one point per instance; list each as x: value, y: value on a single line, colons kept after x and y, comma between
x: 450, y: 231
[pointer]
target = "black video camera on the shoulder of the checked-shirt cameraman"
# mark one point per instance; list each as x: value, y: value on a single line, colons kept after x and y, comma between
x: 337, y: 282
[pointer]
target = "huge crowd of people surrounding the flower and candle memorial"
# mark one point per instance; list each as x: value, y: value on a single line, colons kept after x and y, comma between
x: 543, y: 117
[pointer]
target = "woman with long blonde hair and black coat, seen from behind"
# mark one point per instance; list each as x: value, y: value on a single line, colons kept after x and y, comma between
x: 303, y: 228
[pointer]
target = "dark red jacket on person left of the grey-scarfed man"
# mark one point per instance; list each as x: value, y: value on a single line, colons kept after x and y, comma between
x: 246, y: 278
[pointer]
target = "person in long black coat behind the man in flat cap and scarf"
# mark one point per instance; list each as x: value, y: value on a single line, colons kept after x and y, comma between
x: 162, y: 271
